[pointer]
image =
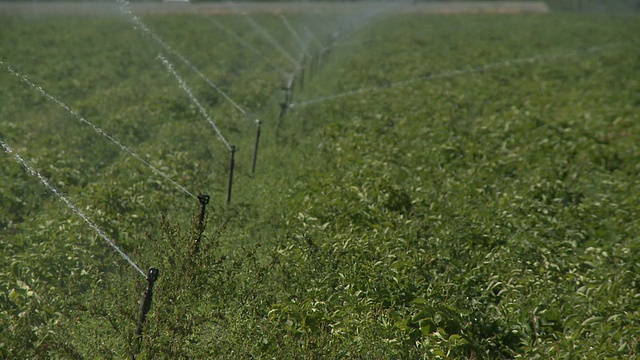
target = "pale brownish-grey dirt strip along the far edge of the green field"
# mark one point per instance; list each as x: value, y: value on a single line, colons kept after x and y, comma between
x: 106, y: 8
